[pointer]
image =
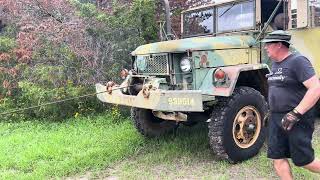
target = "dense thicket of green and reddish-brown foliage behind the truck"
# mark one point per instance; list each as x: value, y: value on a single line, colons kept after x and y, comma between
x: 56, y: 49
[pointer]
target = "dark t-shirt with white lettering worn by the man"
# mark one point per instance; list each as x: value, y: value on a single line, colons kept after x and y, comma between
x: 286, y: 88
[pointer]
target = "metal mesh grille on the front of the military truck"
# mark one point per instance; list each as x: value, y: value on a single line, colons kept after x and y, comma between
x: 156, y: 64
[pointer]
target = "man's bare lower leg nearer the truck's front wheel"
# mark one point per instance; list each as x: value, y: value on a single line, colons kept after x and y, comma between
x: 283, y: 169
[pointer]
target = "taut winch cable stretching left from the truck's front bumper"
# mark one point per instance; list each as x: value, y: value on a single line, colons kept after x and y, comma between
x: 56, y: 102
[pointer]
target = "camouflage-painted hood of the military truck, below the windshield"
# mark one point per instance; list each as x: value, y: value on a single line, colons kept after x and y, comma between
x: 196, y: 43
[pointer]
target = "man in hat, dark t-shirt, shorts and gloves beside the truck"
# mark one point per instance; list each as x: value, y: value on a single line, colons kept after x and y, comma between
x: 293, y: 91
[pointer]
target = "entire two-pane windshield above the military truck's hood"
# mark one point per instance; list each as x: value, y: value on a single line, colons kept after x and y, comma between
x: 223, y: 18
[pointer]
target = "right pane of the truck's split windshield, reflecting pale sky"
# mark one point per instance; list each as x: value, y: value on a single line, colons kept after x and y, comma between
x: 235, y: 16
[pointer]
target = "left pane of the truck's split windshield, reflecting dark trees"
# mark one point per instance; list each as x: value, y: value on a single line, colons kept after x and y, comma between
x: 200, y: 22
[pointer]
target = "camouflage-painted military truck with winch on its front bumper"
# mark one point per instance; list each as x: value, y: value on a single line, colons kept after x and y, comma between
x: 216, y: 73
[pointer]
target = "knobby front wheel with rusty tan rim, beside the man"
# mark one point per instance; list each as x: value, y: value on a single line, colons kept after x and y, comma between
x: 236, y: 130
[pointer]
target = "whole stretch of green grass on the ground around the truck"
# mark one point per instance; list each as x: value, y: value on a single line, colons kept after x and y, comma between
x: 99, y: 147
